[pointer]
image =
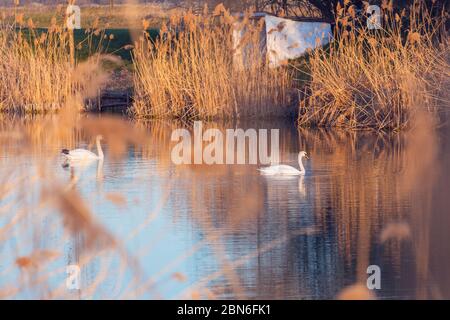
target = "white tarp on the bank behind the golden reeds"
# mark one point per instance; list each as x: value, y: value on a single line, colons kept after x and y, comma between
x: 286, y: 39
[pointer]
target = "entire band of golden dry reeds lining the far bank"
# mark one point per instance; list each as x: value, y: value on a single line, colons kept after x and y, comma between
x: 363, y: 80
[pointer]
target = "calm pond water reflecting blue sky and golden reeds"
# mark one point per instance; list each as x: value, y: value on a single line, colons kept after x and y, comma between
x: 147, y: 228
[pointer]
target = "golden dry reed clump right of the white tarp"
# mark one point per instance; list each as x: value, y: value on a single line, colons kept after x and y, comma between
x: 375, y: 79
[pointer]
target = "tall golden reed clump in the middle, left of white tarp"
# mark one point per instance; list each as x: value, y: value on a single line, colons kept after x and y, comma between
x: 191, y: 70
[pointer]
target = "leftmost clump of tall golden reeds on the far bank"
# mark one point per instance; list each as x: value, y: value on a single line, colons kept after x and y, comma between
x: 34, y: 68
